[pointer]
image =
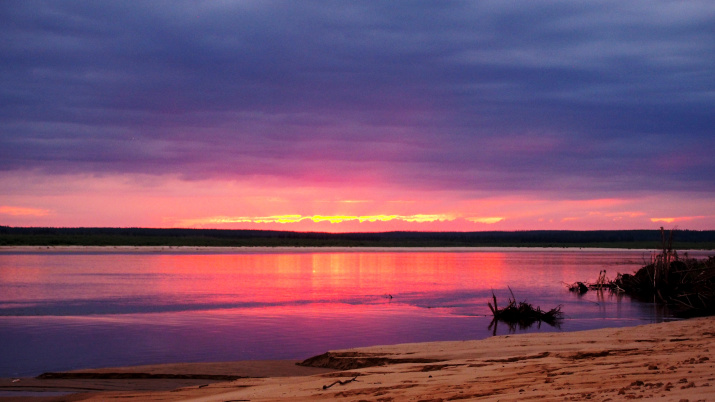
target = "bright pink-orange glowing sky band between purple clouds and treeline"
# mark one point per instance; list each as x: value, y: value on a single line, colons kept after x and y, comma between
x: 169, y: 201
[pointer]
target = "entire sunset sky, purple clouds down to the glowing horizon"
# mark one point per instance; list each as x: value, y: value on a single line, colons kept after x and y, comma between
x: 358, y: 116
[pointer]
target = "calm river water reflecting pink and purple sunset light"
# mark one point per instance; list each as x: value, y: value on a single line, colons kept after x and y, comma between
x: 72, y: 310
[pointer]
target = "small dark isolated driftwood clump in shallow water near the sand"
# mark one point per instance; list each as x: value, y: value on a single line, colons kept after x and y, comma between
x: 522, y: 314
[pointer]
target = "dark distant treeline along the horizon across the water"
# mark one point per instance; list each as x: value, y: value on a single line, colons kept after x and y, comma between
x: 647, y: 239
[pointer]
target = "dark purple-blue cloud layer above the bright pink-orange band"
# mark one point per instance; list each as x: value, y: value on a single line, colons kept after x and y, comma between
x: 489, y: 95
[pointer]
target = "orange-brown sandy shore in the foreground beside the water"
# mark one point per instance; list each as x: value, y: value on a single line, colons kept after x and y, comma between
x: 669, y: 361
